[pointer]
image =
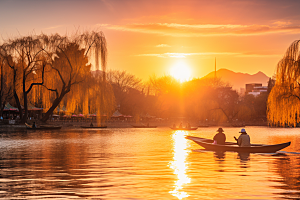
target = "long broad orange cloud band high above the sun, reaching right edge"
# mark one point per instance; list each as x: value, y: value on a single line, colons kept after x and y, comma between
x: 198, y: 30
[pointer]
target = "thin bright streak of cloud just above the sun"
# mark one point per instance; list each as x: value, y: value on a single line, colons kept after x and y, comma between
x: 205, y: 54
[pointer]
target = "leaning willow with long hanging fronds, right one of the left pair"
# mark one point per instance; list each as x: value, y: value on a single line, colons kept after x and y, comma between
x: 69, y: 69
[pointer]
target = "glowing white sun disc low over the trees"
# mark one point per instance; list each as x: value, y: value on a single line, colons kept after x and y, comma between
x: 181, y: 71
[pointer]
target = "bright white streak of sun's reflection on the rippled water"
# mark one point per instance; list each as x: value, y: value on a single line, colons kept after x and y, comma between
x: 179, y: 164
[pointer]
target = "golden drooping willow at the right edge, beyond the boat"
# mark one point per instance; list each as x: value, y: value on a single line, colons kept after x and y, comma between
x: 284, y: 98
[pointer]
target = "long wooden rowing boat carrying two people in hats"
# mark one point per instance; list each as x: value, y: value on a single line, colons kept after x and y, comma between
x: 230, y: 146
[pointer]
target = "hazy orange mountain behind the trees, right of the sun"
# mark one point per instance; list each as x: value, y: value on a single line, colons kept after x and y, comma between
x: 238, y: 80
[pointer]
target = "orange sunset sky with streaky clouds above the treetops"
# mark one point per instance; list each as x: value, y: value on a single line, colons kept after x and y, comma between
x: 149, y: 38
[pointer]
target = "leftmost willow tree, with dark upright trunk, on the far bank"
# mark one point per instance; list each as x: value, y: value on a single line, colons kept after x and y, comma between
x: 27, y: 58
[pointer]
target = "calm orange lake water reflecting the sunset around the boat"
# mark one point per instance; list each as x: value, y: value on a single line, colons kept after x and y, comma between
x: 144, y: 164
